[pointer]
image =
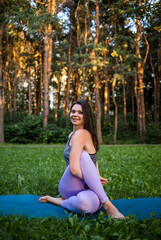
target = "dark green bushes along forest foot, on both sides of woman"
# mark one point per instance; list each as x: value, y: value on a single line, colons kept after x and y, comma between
x: 29, y: 129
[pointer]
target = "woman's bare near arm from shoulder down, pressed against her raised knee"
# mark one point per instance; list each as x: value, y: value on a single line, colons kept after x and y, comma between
x: 78, y: 143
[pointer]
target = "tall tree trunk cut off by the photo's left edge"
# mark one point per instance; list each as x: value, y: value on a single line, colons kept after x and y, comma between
x: 1, y: 91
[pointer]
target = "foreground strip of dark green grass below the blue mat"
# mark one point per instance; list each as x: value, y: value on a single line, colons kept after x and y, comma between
x: 18, y: 228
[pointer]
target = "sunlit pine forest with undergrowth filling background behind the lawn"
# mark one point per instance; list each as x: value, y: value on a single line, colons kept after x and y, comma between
x: 54, y: 52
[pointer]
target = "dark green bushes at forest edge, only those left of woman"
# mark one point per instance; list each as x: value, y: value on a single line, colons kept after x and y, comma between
x: 29, y: 129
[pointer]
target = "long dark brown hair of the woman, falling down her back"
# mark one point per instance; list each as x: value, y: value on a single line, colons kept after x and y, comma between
x: 88, y: 121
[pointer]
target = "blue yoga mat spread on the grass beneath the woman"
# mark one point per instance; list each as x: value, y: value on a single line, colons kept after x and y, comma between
x: 29, y: 206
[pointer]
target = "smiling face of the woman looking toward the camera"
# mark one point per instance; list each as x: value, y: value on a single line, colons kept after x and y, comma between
x: 76, y: 116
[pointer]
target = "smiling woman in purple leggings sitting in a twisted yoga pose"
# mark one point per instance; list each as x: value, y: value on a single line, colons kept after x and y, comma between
x: 81, y: 185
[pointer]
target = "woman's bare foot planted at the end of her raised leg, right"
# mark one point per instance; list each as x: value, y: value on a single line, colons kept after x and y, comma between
x: 112, y: 211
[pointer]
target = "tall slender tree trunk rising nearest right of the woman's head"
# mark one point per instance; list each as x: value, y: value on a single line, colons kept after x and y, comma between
x: 96, y: 79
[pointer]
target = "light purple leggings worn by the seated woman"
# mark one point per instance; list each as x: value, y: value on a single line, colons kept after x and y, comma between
x: 79, y: 198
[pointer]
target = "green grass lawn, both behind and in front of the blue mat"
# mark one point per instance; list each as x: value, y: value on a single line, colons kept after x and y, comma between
x: 132, y: 172
